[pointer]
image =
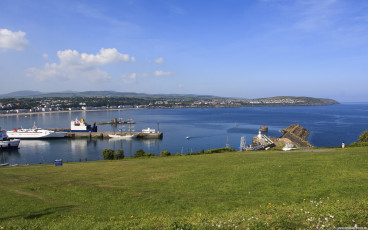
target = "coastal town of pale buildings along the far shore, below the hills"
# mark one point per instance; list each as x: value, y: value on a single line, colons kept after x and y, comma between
x: 55, y: 104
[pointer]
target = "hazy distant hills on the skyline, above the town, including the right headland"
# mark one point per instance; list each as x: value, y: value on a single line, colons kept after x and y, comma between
x: 270, y: 101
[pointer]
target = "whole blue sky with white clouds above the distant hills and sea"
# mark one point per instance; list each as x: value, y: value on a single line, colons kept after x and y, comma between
x: 229, y: 48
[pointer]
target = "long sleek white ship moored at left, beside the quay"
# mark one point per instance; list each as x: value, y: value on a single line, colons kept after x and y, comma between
x: 34, y: 133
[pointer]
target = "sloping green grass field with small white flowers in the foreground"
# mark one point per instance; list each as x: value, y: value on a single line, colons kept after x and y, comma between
x: 258, y: 190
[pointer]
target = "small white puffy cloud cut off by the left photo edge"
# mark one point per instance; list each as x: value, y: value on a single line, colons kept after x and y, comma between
x: 13, y: 40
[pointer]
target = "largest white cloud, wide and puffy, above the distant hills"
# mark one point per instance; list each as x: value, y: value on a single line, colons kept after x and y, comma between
x: 74, y: 64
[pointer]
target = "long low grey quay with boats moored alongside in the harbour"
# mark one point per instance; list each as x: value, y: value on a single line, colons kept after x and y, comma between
x: 156, y: 135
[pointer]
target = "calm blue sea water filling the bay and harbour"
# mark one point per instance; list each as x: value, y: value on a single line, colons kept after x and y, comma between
x: 208, y: 128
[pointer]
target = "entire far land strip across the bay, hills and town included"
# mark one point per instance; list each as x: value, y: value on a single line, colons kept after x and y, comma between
x: 37, y: 102
